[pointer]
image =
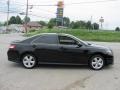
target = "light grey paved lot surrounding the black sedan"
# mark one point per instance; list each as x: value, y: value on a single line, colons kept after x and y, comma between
x: 45, y: 77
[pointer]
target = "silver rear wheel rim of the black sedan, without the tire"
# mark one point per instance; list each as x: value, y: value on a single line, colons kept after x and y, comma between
x: 29, y: 61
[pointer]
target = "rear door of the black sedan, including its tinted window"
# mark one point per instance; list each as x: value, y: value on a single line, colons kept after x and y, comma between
x: 46, y: 48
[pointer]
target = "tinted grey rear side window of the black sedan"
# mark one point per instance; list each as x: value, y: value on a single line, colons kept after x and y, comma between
x: 48, y: 39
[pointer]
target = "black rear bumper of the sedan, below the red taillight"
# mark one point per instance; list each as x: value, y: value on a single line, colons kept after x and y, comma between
x: 13, y: 56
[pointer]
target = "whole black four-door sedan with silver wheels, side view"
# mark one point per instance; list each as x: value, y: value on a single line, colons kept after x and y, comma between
x: 52, y: 48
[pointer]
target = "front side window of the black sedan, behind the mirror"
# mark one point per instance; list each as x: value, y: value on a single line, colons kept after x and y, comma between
x: 67, y: 40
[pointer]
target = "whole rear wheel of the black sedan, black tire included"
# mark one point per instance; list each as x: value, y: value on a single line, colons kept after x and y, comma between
x: 29, y: 61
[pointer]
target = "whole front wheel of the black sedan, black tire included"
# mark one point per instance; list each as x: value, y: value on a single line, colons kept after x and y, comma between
x: 97, y: 62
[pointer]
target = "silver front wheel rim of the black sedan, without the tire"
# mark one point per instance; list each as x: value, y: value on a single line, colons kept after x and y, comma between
x: 97, y: 62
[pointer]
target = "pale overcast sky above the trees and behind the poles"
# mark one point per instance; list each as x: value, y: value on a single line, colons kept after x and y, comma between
x: 109, y: 10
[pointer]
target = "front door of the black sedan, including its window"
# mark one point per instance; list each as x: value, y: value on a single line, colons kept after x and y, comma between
x: 71, y: 52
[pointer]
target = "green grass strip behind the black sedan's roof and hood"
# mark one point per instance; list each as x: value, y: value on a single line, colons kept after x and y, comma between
x: 94, y: 35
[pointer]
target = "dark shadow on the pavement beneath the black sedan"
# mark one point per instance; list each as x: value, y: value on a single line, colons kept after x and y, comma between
x: 49, y: 66
